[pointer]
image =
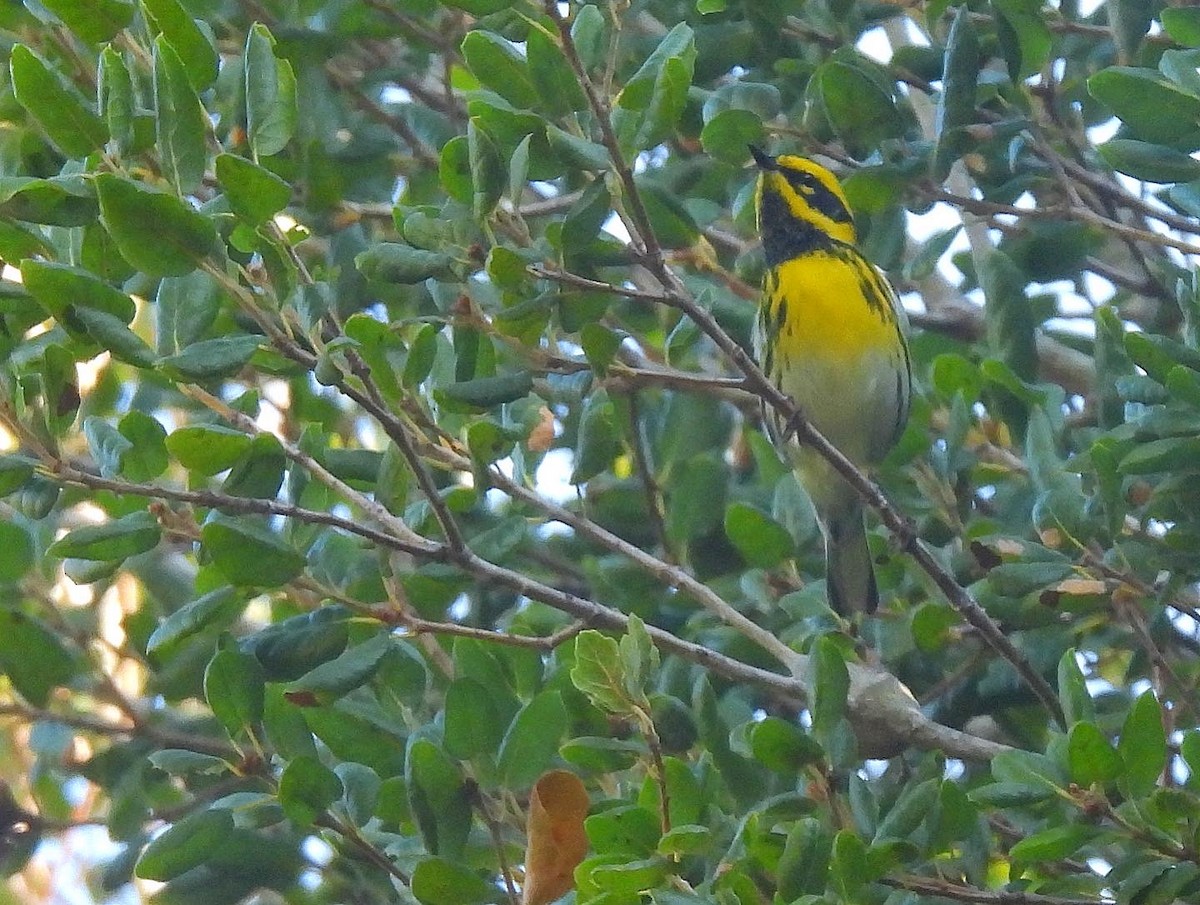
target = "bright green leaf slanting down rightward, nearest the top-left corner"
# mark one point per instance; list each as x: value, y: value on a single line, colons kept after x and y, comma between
x: 56, y: 105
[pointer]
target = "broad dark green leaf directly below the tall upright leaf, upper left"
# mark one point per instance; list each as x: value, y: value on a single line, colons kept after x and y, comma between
x: 158, y: 233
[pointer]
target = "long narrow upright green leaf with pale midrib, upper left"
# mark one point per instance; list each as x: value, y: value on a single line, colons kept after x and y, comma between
x: 181, y: 122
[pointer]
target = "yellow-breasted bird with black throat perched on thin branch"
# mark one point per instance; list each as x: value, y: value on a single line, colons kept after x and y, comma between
x: 831, y: 334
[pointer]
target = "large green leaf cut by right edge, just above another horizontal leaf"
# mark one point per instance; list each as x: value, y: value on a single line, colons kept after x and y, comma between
x: 1155, y: 110
